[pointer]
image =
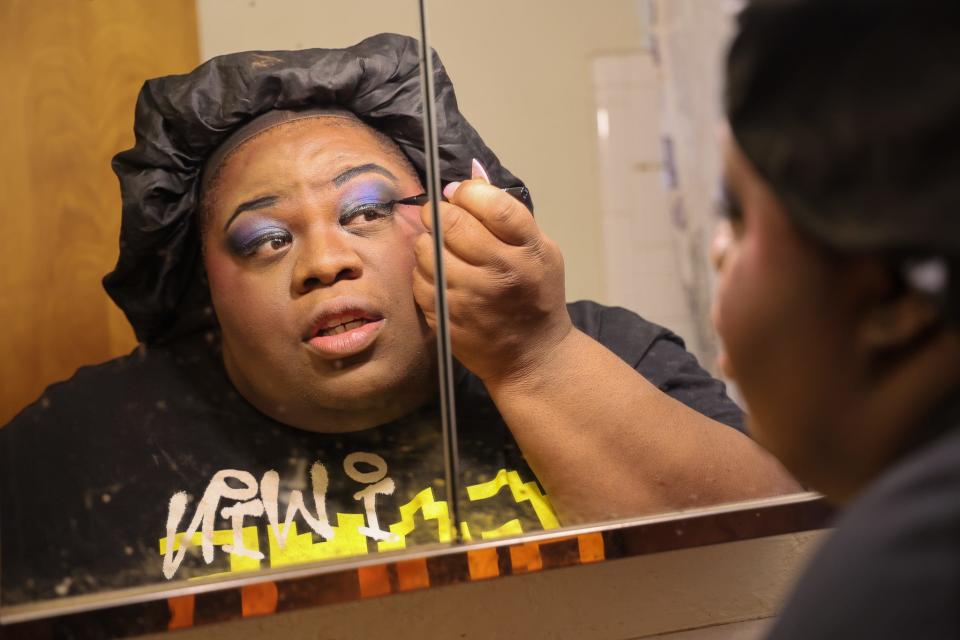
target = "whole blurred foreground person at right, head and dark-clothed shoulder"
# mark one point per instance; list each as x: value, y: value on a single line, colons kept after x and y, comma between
x: 839, y: 295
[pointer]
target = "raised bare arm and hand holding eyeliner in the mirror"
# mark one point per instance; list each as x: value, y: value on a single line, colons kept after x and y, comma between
x: 603, y: 440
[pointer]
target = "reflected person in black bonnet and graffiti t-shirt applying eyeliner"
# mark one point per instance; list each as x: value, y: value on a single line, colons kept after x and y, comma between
x: 282, y: 405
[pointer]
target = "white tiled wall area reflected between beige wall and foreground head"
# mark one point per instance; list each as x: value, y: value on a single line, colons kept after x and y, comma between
x: 657, y: 207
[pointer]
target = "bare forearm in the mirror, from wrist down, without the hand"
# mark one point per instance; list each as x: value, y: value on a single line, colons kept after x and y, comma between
x: 606, y: 443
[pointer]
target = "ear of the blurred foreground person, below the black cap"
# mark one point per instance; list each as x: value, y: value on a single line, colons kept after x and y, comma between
x: 892, y: 316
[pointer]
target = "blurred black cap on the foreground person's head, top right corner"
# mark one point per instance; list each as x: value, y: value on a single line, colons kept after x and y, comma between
x: 850, y: 110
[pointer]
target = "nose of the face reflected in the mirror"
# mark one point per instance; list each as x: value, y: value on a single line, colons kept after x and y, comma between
x: 325, y: 257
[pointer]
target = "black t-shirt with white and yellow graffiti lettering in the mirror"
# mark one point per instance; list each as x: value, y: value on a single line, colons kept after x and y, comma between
x: 107, y: 475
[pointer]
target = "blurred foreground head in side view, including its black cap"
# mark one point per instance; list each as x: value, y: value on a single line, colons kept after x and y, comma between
x: 838, y: 295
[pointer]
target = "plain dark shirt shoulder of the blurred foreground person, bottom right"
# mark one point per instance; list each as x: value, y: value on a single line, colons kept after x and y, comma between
x: 891, y: 569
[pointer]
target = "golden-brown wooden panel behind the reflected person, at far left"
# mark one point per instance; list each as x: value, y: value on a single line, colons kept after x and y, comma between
x: 70, y: 71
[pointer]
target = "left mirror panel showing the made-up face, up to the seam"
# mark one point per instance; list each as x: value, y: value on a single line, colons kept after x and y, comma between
x: 155, y: 469
